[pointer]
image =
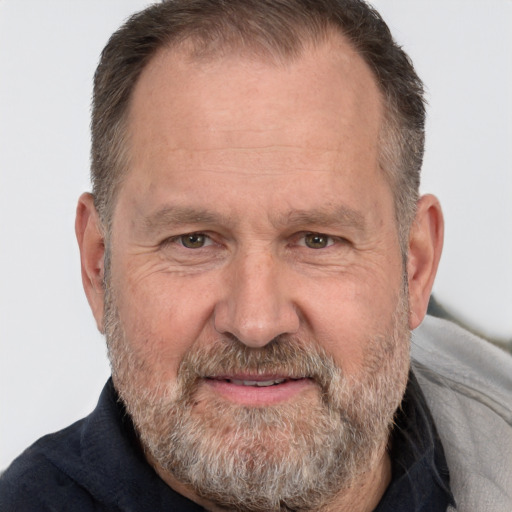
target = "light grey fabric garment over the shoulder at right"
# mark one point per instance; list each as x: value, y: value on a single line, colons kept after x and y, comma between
x: 467, y: 383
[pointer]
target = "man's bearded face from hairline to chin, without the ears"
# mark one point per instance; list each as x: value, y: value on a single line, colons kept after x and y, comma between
x: 256, y: 280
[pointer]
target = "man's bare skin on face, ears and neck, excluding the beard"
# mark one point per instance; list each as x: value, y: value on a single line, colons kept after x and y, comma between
x: 255, y: 155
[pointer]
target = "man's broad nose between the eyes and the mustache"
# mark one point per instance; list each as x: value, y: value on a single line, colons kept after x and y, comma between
x: 257, y: 306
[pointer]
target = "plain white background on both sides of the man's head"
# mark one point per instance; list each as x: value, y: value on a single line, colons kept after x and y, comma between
x: 52, y: 360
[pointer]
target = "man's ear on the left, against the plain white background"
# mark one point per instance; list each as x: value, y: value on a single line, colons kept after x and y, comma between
x: 91, y: 242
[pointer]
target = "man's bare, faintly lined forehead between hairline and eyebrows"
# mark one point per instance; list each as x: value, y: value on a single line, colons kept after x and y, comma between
x: 250, y: 122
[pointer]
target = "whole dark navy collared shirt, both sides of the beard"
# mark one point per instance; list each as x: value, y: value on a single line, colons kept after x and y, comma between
x: 96, y: 465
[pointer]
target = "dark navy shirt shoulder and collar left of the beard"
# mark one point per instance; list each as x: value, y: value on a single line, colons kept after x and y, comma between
x: 95, y: 464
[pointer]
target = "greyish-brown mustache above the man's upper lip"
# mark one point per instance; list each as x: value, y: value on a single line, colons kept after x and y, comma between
x: 285, y: 356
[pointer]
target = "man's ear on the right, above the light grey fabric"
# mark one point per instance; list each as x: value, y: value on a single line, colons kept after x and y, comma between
x: 425, y: 247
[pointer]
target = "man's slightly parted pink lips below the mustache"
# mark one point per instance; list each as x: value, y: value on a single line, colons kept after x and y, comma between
x: 259, y: 396
